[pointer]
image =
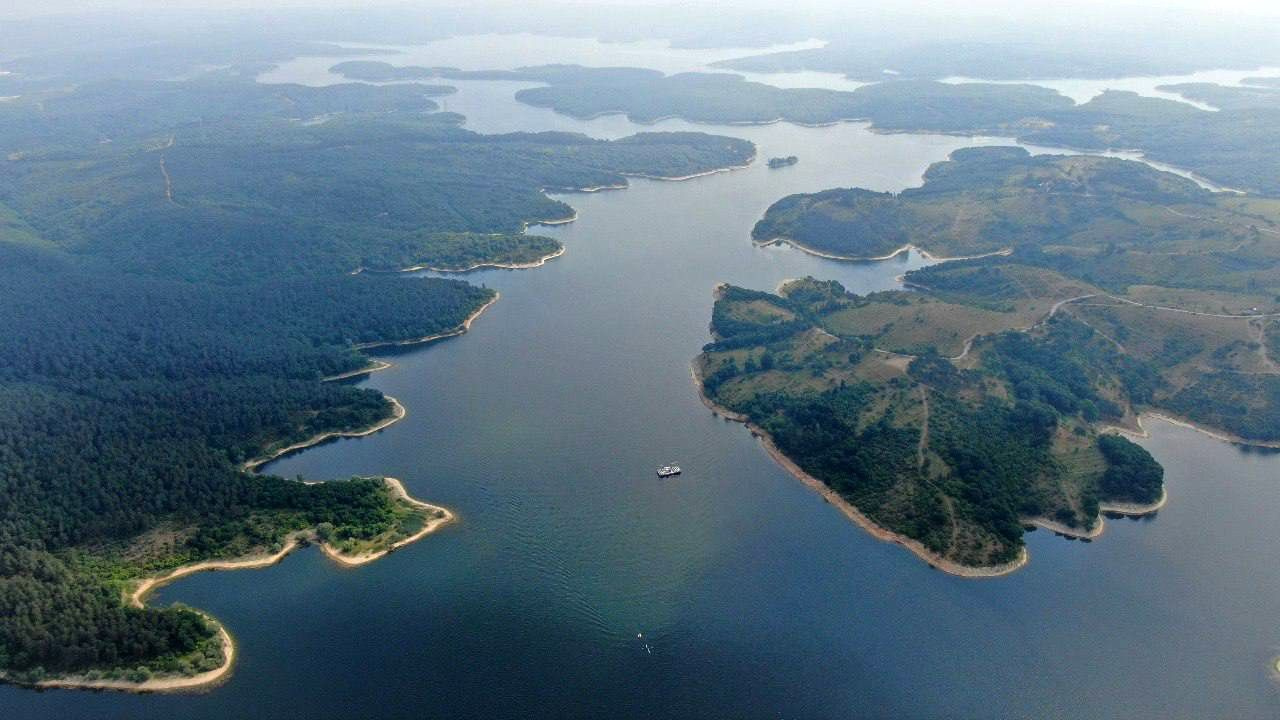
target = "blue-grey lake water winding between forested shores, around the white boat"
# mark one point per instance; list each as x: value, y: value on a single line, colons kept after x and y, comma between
x: 542, y: 430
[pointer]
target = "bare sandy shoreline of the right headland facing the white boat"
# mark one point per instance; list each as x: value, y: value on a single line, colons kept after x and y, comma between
x: 852, y: 512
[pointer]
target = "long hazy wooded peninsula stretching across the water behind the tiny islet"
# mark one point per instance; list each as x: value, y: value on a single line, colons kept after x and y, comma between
x: 1233, y: 147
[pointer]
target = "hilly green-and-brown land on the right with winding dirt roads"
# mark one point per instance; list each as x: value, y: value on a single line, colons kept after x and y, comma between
x: 981, y: 399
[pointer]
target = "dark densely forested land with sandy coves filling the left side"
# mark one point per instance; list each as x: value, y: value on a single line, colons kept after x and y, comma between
x: 177, y: 279
